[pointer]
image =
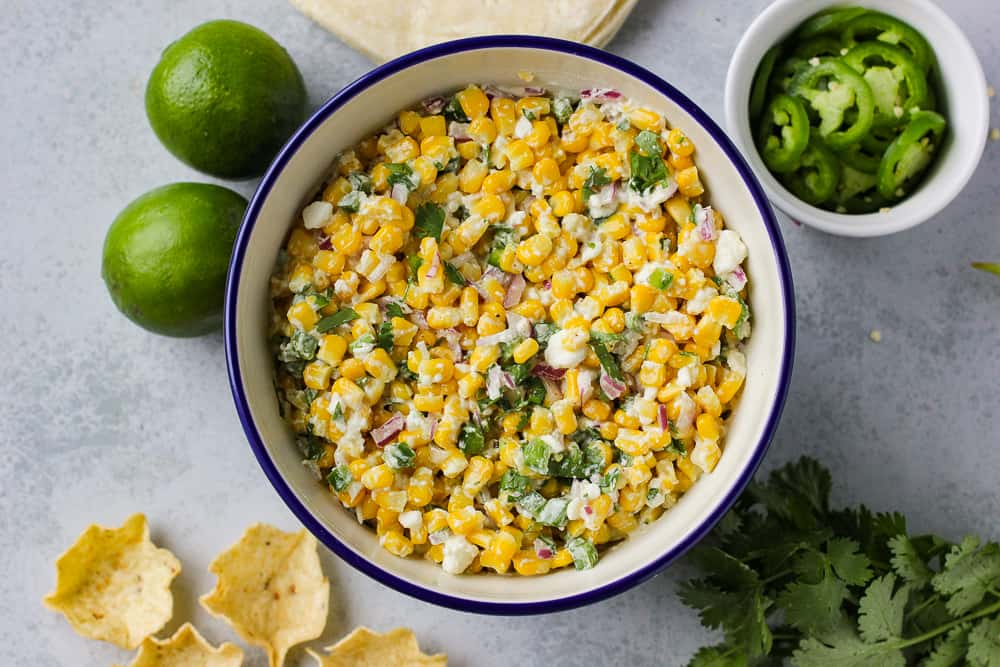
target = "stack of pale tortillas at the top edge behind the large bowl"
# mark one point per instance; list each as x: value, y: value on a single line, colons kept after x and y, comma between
x: 384, y: 29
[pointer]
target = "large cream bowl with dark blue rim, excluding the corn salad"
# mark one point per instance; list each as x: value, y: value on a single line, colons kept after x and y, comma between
x: 362, y: 108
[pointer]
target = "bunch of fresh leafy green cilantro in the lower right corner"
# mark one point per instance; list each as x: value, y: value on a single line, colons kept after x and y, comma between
x: 791, y: 581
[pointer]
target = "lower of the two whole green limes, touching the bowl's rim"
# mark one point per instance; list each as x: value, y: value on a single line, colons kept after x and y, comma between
x: 166, y: 257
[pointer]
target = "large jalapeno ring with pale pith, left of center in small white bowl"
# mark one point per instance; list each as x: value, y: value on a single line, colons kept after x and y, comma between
x: 841, y: 98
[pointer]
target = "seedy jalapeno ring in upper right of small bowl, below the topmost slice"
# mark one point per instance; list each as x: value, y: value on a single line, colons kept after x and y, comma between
x: 897, y: 83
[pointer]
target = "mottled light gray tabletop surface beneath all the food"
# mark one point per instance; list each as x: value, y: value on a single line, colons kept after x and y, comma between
x: 99, y: 419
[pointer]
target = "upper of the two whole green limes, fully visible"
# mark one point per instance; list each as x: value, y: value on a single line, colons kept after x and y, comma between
x: 224, y: 98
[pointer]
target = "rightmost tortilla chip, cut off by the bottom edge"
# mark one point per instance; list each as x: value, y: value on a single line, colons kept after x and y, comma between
x: 364, y: 648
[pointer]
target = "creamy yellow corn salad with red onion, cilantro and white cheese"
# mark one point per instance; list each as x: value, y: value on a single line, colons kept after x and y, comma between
x: 509, y: 329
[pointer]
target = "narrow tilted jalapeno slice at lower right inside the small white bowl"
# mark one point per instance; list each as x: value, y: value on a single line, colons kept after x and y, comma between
x: 909, y: 154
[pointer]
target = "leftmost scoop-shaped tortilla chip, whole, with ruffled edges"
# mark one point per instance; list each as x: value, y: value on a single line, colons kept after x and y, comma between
x: 114, y: 584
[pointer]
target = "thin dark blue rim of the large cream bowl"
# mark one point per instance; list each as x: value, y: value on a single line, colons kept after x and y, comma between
x: 236, y: 383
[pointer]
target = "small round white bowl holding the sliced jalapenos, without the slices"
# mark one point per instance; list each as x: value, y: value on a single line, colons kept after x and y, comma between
x: 963, y: 98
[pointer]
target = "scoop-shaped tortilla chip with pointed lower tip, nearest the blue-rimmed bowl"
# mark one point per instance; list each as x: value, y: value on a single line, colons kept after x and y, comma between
x: 271, y: 589
